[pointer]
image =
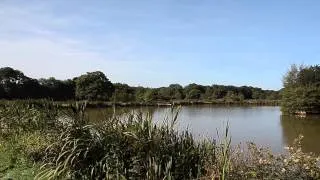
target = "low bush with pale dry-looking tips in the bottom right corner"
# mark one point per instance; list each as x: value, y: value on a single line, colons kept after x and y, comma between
x: 260, y: 163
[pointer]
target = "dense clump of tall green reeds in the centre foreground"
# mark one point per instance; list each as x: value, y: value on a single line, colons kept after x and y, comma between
x: 131, y: 148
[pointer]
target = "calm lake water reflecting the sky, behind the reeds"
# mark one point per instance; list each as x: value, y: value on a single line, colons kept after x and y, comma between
x: 263, y: 125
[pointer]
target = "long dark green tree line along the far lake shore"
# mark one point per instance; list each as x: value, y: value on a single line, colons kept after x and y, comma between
x: 96, y: 86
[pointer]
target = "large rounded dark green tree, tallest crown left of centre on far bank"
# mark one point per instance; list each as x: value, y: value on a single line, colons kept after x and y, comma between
x: 94, y: 86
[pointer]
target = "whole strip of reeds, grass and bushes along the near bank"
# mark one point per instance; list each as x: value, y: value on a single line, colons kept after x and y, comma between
x: 48, y: 142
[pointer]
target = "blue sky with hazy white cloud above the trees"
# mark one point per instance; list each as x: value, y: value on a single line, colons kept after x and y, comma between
x: 155, y: 43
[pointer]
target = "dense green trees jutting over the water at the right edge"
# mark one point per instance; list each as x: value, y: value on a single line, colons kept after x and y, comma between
x: 301, y: 91
